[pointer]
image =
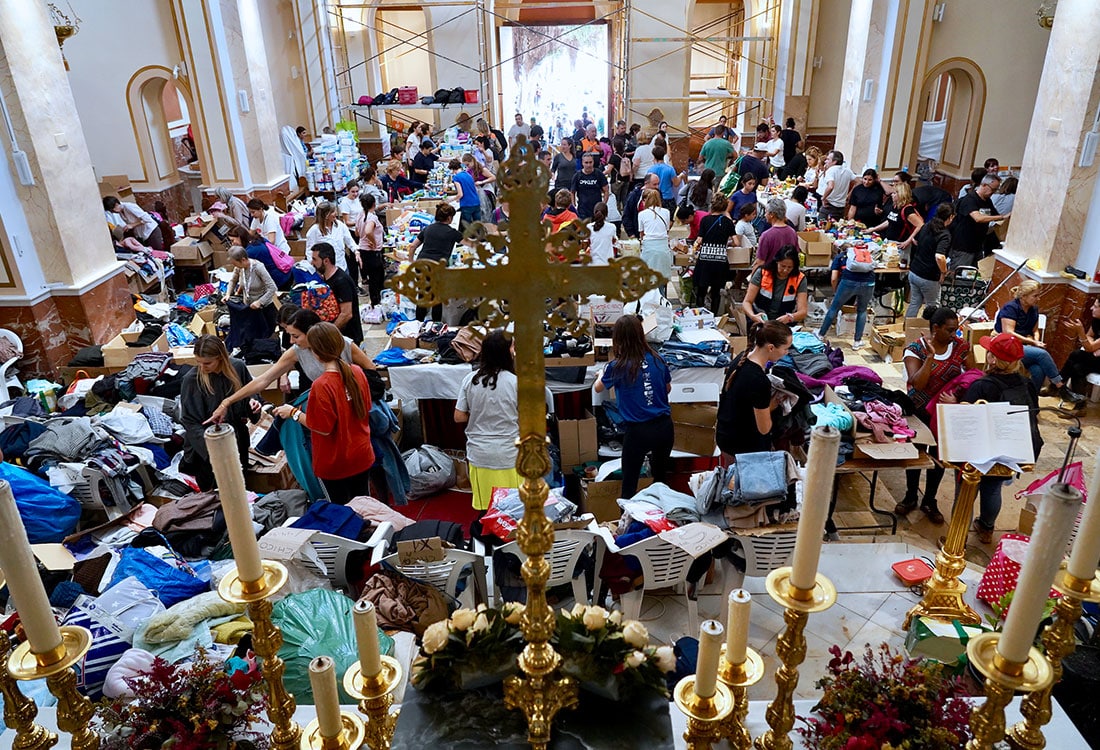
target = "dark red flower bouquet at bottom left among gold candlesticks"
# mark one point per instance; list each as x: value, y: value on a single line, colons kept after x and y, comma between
x: 188, y: 708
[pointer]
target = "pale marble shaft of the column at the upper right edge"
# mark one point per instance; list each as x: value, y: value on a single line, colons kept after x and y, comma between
x: 1050, y: 214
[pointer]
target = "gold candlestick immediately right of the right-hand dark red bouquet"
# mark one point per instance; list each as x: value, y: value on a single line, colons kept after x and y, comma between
x: 1003, y: 679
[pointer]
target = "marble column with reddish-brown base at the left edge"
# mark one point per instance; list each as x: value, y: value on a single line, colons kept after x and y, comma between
x: 61, y: 286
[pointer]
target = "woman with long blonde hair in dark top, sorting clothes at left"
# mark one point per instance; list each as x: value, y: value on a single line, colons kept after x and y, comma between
x: 215, y: 378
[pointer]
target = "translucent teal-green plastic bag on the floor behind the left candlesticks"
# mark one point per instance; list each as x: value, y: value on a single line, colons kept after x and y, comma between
x: 318, y: 624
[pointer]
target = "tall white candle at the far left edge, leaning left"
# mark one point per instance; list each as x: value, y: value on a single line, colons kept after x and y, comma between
x: 28, y: 594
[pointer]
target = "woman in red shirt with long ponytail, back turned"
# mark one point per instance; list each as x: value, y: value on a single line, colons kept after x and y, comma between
x: 337, y: 416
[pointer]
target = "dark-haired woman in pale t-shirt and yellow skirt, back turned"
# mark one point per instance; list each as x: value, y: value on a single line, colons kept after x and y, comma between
x: 489, y: 404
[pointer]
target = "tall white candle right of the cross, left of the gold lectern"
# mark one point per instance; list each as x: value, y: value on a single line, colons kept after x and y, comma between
x: 818, y: 492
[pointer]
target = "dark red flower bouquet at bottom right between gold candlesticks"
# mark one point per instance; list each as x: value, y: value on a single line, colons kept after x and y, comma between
x: 887, y: 701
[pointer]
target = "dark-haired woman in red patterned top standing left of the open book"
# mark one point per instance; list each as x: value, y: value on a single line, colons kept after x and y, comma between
x: 931, y: 363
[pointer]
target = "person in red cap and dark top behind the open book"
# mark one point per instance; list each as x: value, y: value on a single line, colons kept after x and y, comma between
x: 1004, y: 382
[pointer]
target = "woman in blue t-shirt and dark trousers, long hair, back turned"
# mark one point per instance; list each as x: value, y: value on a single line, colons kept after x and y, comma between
x: 642, y: 383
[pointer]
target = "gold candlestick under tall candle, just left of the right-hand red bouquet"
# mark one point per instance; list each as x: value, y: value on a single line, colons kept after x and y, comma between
x: 791, y: 649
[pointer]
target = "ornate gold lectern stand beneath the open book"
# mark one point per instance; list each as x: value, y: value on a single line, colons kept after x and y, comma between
x: 943, y: 594
